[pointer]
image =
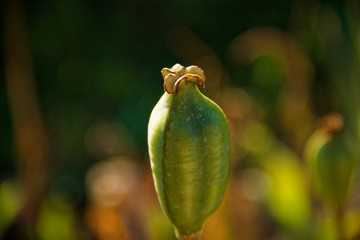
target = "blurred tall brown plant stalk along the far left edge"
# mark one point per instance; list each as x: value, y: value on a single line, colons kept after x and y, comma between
x: 31, y: 144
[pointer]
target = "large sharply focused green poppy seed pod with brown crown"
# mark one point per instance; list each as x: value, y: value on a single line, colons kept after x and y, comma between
x: 189, y: 148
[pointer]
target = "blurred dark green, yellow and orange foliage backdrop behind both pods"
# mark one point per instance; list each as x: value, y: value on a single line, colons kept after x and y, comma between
x: 274, y: 67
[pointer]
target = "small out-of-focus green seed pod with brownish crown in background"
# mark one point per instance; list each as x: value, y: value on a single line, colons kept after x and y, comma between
x: 332, y: 155
